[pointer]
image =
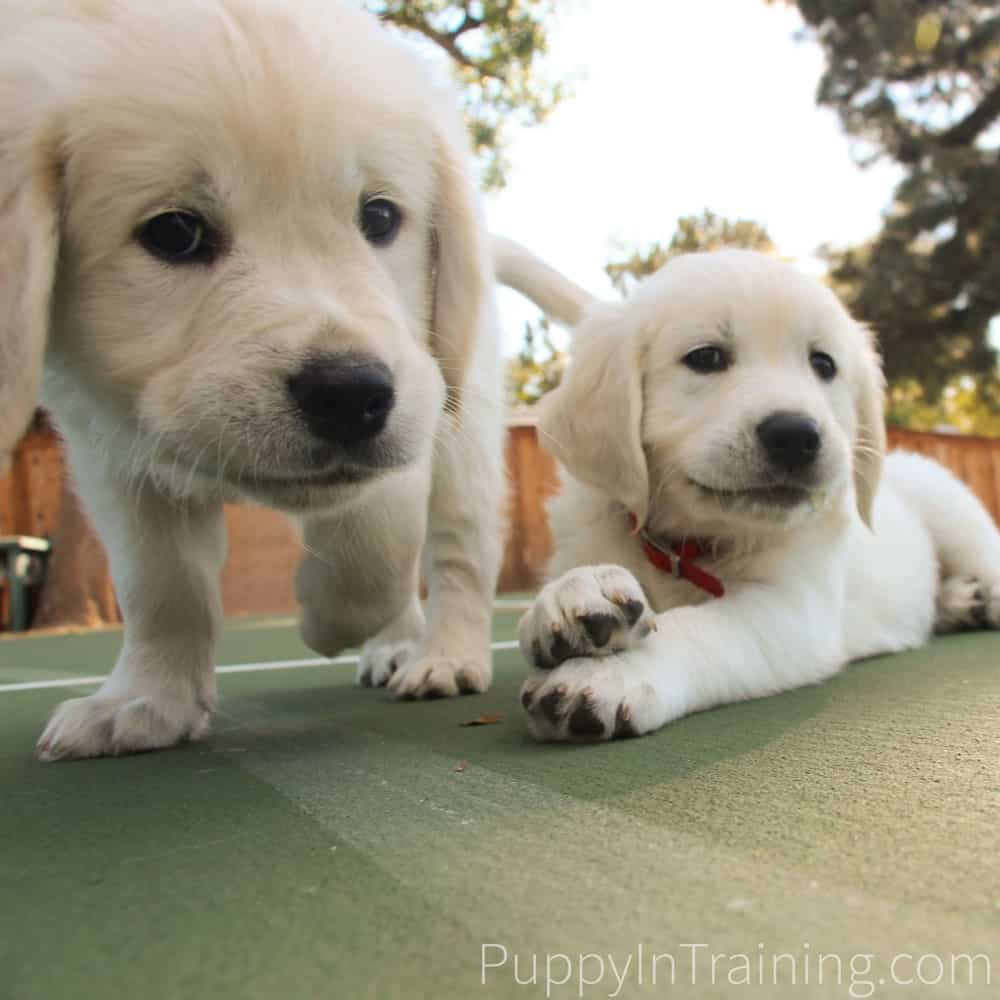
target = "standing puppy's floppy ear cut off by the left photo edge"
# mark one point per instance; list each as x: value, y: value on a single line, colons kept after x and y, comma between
x: 29, y: 248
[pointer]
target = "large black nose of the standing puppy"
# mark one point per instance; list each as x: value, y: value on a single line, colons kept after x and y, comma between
x: 343, y: 399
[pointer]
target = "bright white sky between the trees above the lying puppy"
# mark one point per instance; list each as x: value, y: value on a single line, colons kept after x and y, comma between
x: 678, y: 106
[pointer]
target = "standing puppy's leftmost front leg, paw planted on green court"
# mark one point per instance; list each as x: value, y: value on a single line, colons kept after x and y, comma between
x: 165, y: 561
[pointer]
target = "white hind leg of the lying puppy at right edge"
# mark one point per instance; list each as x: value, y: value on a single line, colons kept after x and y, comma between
x: 966, y: 542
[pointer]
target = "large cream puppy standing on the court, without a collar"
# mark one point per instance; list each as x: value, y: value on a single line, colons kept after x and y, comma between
x: 242, y: 237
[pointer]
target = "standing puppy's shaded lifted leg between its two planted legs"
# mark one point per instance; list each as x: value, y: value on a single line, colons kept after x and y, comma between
x: 359, y: 576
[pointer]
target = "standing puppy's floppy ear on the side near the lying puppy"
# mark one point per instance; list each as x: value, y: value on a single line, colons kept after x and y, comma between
x: 460, y: 265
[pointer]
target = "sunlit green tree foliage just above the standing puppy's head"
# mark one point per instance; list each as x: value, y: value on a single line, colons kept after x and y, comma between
x: 494, y: 47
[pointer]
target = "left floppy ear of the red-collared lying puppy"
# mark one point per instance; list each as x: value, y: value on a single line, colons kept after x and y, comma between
x: 592, y: 423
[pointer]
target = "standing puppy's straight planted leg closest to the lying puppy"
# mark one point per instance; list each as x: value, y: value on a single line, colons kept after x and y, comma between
x: 462, y: 559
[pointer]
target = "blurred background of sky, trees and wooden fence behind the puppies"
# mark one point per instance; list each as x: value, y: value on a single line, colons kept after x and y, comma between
x: 858, y: 139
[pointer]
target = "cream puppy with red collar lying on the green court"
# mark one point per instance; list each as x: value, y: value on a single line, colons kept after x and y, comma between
x: 721, y: 532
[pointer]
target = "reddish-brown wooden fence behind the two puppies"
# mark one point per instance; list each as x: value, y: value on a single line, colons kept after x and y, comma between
x: 263, y: 550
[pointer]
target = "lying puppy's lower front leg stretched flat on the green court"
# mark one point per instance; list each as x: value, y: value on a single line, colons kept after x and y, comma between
x: 756, y: 641
